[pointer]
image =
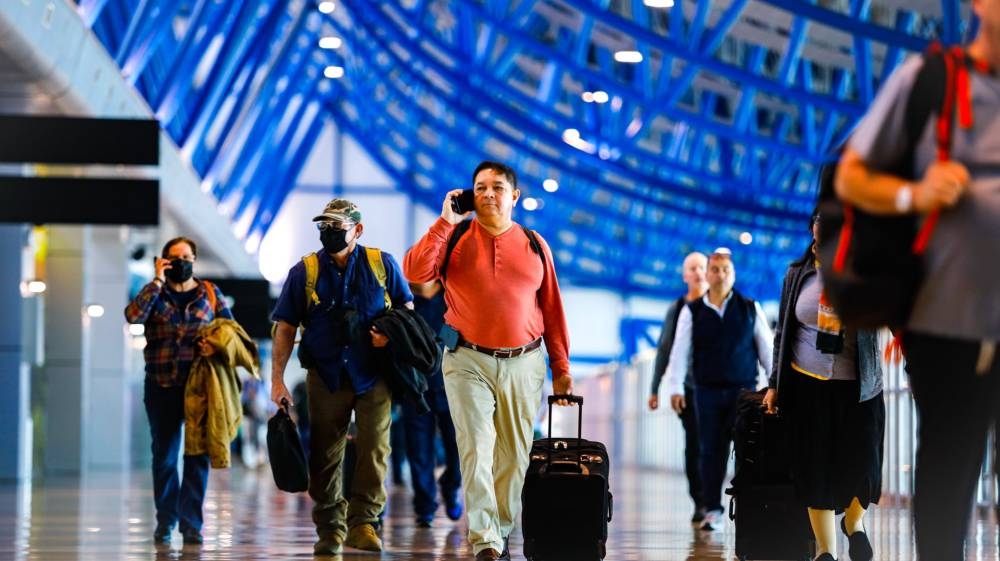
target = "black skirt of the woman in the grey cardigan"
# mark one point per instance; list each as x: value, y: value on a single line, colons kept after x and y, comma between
x: 837, y: 442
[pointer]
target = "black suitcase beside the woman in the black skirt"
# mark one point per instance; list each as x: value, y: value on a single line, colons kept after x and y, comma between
x: 770, y: 522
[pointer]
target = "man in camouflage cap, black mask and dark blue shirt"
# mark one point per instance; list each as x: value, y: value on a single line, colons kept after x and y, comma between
x: 334, y: 294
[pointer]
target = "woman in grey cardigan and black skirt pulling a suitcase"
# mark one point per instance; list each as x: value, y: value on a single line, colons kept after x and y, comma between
x: 827, y: 382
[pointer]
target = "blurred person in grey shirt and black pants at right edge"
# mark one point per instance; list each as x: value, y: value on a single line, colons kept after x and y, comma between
x: 950, y: 335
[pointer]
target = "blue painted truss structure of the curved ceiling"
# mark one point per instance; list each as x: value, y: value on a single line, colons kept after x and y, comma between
x: 713, y: 139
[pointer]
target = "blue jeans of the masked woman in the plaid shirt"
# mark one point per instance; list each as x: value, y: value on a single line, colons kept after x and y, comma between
x: 176, y: 500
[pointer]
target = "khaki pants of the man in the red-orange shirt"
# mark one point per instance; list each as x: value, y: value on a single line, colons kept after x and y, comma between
x: 493, y: 403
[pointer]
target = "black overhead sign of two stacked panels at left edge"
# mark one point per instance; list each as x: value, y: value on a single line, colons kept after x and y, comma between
x: 55, y: 199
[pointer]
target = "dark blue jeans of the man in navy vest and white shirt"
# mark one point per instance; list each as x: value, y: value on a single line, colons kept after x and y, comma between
x: 716, y: 411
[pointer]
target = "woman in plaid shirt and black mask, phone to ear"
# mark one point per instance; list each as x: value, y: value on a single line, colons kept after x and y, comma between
x: 173, y: 307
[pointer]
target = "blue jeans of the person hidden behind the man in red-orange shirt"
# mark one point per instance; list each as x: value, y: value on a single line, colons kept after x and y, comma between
x: 420, y: 450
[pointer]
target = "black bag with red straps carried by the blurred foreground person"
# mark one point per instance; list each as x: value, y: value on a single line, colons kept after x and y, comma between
x: 872, y: 265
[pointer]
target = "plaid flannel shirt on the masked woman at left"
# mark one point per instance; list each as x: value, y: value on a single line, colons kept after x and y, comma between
x: 170, y: 330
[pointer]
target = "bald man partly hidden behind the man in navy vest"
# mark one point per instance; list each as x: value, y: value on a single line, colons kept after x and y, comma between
x: 693, y: 273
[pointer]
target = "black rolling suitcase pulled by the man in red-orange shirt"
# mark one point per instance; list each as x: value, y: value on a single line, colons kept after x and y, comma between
x: 566, y: 504
